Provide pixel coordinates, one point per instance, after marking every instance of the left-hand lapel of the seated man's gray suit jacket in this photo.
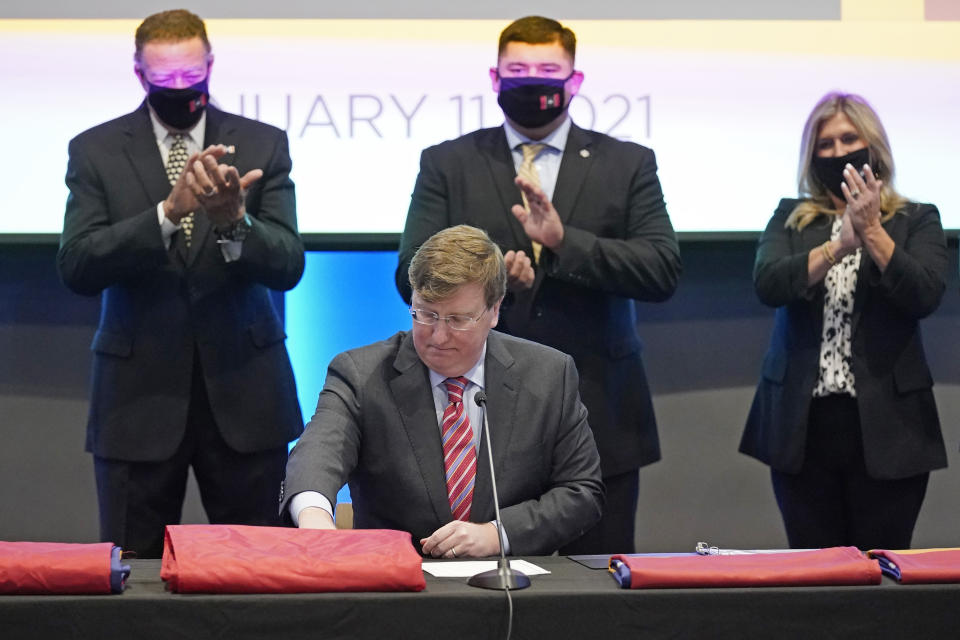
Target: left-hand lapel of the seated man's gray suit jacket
(413, 397)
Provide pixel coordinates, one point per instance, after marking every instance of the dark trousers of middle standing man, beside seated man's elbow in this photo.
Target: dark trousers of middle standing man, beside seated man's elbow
(615, 532)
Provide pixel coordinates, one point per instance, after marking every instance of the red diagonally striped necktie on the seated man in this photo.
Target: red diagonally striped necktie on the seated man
(459, 456)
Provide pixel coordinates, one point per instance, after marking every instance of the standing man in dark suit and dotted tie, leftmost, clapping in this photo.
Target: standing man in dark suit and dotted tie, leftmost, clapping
(184, 218)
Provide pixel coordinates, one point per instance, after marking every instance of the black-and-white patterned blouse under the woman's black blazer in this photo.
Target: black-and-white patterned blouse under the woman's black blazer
(836, 375)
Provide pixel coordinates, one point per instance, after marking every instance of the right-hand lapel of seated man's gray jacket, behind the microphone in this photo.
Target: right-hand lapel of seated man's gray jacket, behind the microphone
(501, 386)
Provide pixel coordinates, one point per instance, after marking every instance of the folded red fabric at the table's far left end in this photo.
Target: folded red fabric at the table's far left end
(54, 567)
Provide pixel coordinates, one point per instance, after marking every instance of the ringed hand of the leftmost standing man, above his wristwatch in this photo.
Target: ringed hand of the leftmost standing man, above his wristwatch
(219, 188)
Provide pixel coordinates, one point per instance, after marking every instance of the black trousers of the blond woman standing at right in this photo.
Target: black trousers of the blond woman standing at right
(833, 501)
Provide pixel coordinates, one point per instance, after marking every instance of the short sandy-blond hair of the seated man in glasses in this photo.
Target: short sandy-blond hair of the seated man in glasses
(454, 257)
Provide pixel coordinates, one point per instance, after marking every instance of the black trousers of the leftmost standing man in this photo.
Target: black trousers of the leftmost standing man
(138, 499)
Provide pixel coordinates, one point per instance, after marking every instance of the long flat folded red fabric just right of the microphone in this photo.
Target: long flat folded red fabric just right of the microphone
(834, 566)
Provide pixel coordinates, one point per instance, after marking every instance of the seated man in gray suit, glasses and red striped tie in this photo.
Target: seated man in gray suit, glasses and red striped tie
(397, 420)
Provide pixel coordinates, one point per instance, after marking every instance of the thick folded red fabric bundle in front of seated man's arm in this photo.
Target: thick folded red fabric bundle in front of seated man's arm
(243, 559)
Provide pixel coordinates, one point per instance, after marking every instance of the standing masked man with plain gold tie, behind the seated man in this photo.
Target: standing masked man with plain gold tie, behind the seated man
(585, 231)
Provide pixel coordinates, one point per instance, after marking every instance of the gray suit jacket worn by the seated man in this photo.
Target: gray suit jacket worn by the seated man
(376, 427)
